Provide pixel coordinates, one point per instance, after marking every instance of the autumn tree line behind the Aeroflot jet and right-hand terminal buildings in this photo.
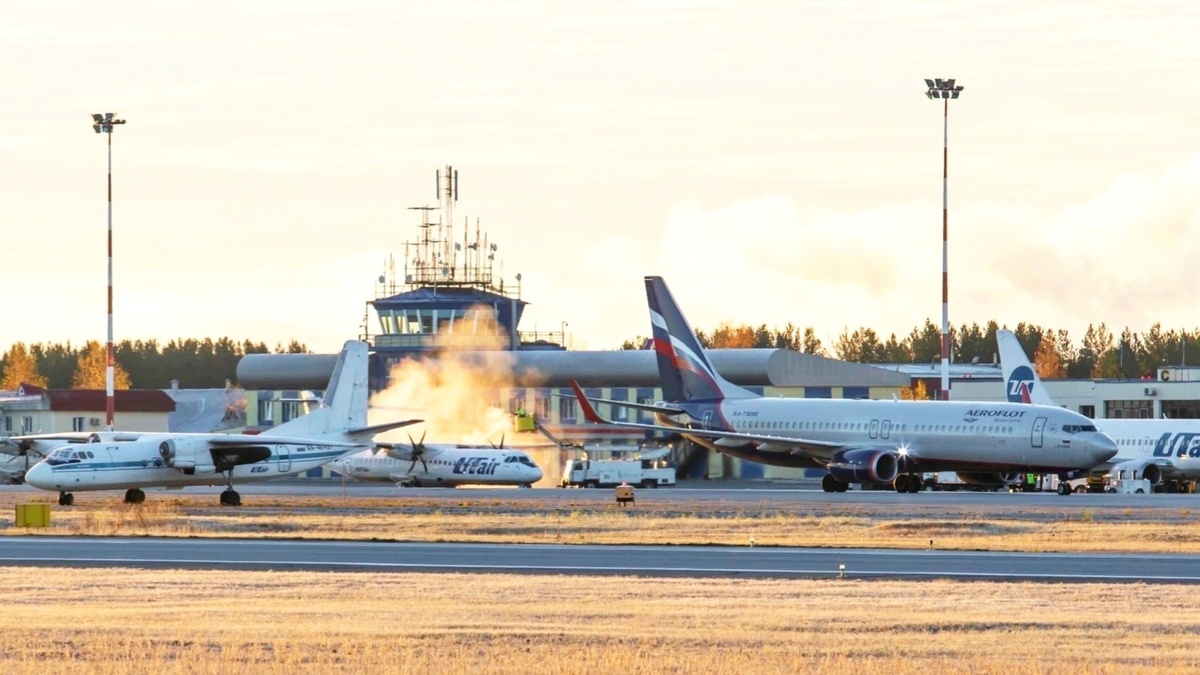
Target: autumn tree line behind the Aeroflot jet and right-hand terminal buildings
(1100, 355)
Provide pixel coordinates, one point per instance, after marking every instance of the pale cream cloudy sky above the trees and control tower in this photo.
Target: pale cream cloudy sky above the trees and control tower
(776, 163)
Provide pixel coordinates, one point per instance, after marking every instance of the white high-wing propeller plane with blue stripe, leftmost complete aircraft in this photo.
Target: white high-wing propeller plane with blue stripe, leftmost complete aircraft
(133, 462)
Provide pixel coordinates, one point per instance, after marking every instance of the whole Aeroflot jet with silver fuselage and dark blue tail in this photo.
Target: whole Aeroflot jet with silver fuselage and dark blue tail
(857, 441)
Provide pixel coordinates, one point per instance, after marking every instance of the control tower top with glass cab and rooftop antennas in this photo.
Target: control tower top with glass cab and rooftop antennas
(449, 292)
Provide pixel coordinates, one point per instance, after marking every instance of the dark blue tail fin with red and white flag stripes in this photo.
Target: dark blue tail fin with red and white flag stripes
(685, 372)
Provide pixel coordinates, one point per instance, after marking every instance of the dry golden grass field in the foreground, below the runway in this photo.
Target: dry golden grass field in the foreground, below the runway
(175, 622)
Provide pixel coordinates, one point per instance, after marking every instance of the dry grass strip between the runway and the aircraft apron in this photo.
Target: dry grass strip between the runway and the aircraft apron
(1022, 525)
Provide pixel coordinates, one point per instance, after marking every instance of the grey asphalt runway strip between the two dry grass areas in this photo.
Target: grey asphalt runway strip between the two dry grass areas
(643, 561)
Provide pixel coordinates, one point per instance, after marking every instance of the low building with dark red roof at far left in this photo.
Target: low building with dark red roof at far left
(34, 410)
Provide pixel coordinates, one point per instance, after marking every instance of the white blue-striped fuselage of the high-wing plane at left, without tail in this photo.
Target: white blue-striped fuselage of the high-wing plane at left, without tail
(140, 464)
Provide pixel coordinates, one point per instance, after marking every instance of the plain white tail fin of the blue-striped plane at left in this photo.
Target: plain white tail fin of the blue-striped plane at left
(344, 410)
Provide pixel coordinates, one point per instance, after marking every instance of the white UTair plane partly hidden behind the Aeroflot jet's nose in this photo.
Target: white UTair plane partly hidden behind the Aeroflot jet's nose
(1161, 451)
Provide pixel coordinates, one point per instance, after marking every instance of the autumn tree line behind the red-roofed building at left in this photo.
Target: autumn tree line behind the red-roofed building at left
(140, 365)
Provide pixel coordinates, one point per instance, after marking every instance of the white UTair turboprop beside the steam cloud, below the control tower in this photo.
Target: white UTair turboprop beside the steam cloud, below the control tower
(441, 465)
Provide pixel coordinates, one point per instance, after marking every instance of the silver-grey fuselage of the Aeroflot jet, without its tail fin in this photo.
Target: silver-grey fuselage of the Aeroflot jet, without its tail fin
(935, 434)
